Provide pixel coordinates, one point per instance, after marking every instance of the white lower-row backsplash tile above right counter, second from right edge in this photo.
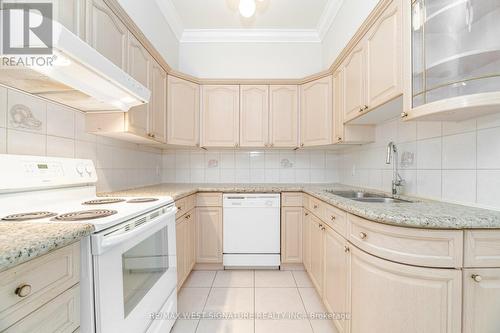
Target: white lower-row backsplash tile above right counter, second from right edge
(459, 186)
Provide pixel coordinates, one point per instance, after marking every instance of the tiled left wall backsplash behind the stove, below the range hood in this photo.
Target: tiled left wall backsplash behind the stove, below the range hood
(60, 132)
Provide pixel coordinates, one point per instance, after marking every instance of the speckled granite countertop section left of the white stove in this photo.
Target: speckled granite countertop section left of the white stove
(23, 241)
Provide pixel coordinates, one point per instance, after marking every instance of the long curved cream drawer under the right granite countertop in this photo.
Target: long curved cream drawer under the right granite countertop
(420, 247)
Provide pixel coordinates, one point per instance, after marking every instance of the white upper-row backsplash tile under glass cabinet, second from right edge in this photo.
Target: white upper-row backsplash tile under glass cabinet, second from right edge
(459, 151)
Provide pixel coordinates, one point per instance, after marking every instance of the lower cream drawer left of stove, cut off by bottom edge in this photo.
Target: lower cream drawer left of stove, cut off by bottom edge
(61, 315)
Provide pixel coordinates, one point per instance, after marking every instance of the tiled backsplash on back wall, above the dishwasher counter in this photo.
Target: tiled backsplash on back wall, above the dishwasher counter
(228, 166)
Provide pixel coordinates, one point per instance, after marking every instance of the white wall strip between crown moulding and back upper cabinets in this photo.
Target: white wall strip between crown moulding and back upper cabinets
(250, 60)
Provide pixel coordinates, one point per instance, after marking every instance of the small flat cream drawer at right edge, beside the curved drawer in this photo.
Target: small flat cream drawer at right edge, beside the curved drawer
(482, 248)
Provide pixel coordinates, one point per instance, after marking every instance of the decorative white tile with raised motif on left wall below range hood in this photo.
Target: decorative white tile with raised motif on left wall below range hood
(31, 114)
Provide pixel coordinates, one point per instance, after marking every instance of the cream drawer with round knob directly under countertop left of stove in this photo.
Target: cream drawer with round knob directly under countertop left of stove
(47, 277)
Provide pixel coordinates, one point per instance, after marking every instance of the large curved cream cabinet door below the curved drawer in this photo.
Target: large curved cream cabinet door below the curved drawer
(393, 298)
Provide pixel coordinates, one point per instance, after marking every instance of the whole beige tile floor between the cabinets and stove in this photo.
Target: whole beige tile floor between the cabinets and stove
(250, 292)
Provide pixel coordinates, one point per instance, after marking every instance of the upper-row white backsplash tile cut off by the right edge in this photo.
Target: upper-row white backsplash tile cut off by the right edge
(488, 148)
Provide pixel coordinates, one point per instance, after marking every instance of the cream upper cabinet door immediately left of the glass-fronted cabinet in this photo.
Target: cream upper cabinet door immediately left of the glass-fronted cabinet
(384, 57)
